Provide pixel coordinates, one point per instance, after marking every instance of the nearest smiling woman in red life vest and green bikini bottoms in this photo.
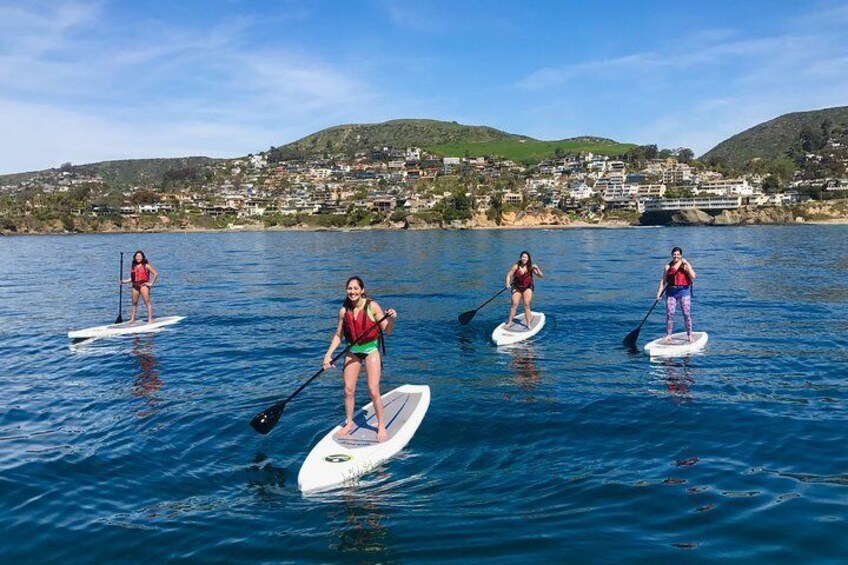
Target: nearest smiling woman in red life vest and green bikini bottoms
(357, 324)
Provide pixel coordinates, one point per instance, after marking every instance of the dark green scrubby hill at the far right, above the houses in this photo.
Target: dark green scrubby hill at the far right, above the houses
(775, 139)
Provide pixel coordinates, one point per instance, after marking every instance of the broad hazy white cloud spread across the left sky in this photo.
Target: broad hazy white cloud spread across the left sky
(83, 93)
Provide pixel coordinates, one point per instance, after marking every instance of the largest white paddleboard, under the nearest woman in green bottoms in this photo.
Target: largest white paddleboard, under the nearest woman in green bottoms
(336, 461)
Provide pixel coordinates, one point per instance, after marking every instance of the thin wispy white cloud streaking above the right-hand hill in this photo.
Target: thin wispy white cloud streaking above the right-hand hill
(716, 84)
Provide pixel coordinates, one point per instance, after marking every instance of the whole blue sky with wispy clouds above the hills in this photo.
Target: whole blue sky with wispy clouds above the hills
(88, 81)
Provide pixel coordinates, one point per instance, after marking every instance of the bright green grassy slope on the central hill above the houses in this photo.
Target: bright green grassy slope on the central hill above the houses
(528, 149)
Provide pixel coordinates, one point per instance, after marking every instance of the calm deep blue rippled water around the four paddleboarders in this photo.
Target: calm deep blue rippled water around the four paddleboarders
(565, 448)
